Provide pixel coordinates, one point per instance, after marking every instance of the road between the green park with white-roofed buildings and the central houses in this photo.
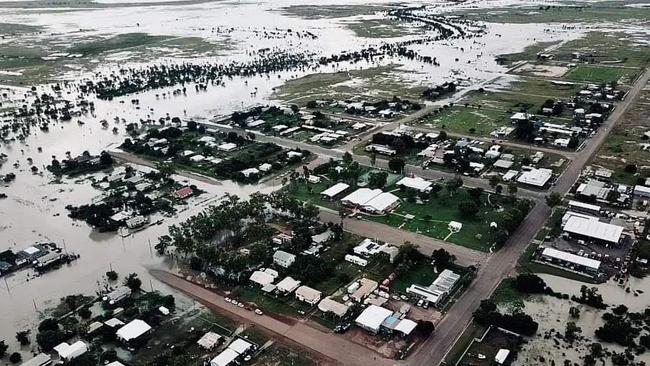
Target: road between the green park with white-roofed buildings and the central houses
(389, 234)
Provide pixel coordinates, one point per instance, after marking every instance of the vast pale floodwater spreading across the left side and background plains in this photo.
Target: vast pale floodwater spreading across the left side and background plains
(35, 209)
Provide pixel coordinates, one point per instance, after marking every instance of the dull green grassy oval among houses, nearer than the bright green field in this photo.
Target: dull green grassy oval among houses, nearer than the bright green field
(469, 121)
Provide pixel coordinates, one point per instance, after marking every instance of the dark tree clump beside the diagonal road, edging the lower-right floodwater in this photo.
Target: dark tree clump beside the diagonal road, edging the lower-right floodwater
(518, 322)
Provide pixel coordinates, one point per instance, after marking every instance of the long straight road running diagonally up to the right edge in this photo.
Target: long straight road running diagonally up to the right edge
(502, 263)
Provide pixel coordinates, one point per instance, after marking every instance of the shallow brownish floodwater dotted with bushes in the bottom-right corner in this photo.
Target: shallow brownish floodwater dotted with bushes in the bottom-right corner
(553, 314)
